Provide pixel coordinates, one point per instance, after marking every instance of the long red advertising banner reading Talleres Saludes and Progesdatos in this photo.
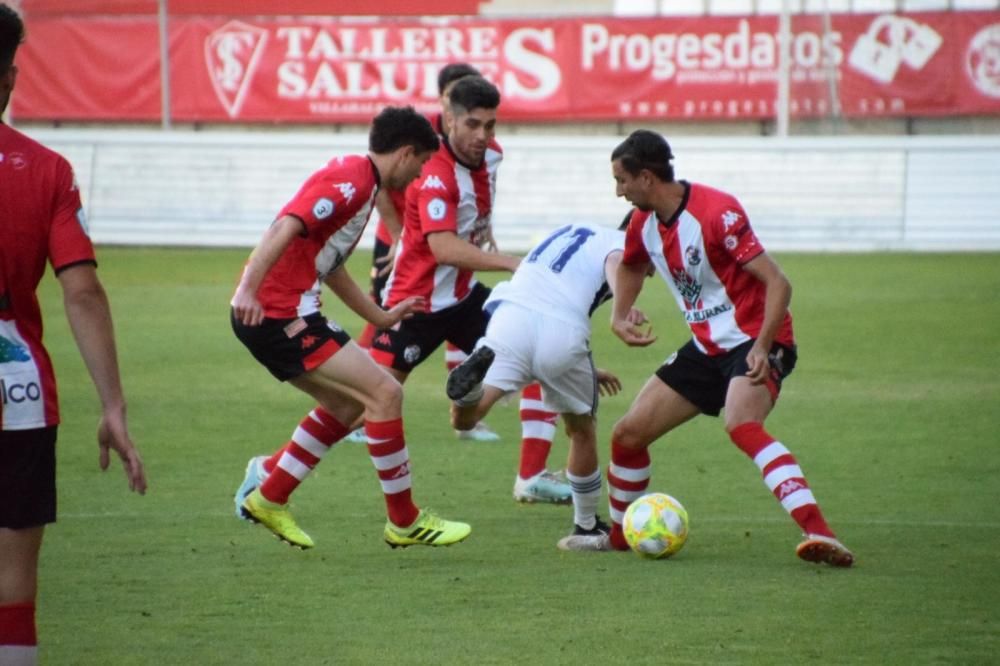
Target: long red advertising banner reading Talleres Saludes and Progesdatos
(315, 69)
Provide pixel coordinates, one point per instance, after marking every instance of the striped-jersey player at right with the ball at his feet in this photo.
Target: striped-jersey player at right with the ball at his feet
(735, 299)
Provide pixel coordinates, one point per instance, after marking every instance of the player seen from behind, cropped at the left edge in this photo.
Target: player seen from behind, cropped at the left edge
(42, 221)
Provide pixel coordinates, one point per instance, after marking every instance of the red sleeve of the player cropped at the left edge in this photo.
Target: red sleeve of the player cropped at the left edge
(68, 240)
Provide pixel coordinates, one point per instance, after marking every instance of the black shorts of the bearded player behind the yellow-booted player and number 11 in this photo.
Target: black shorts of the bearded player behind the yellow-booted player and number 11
(407, 344)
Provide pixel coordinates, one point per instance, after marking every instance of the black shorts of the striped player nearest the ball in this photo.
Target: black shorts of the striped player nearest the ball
(704, 379)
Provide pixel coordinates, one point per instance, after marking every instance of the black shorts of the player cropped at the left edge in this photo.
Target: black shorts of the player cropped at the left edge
(27, 477)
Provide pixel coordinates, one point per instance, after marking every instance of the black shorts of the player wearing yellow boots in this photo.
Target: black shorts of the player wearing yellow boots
(291, 347)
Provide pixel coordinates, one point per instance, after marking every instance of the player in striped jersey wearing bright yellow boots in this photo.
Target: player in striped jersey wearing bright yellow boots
(276, 314)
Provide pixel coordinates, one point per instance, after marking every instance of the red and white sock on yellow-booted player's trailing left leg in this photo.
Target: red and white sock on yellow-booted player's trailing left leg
(289, 467)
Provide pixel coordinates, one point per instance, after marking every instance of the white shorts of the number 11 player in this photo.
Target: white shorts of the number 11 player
(531, 346)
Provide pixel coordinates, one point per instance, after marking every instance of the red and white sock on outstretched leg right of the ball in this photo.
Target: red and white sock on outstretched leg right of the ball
(782, 475)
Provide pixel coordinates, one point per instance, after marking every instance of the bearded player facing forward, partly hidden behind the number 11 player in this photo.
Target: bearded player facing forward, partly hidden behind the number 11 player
(447, 236)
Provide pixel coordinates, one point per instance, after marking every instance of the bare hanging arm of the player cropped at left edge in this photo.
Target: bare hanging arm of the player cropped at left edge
(89, 316)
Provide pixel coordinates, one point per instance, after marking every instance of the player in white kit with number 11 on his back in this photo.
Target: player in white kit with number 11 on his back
(540, 331)
